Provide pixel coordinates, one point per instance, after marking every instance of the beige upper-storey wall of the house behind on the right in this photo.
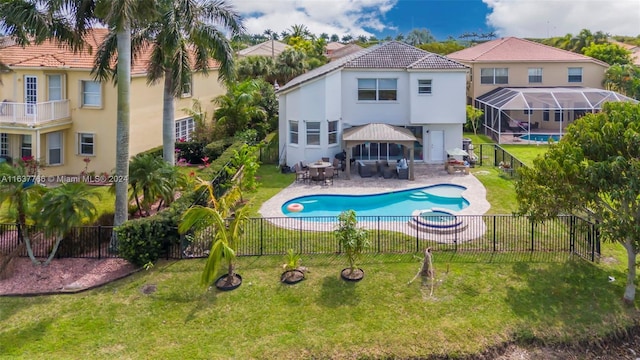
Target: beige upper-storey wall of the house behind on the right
(553, 74)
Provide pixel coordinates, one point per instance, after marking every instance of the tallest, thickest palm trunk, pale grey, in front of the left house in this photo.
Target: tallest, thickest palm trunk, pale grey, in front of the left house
(122, 130)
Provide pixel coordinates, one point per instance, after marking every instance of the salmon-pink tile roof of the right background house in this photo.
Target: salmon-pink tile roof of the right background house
(512, 49)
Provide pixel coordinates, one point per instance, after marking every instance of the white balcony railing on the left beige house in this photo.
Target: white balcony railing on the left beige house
(33, 114)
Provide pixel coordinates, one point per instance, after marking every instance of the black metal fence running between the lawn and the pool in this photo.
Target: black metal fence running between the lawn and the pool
(388, 235)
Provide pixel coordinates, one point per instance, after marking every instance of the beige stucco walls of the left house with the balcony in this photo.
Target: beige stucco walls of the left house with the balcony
(145, 118)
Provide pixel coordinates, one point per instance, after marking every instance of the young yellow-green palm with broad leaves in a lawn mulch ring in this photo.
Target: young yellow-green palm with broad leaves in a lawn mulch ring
(227, 230)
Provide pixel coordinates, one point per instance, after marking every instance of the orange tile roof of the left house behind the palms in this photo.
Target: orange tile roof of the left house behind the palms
(55, 55)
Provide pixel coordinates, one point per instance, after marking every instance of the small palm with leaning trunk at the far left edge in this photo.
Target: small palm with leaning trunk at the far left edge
(18, 194)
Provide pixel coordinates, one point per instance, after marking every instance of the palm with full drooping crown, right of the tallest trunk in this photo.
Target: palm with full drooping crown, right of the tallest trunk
(184, 38)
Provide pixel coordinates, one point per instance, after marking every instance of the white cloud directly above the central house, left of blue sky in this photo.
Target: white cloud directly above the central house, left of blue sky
(355, 17)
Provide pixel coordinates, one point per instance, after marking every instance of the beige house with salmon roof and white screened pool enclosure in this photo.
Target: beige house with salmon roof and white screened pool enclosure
(526, 87)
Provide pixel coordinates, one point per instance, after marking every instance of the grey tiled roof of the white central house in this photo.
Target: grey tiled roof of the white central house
(388, 55)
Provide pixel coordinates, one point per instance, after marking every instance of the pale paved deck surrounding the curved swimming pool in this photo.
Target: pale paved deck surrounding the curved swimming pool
(425, 175)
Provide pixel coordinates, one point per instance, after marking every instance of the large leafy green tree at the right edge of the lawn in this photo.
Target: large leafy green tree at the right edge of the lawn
(593, 171)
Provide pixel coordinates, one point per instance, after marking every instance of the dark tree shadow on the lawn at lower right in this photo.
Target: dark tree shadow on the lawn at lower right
(562, 299)
